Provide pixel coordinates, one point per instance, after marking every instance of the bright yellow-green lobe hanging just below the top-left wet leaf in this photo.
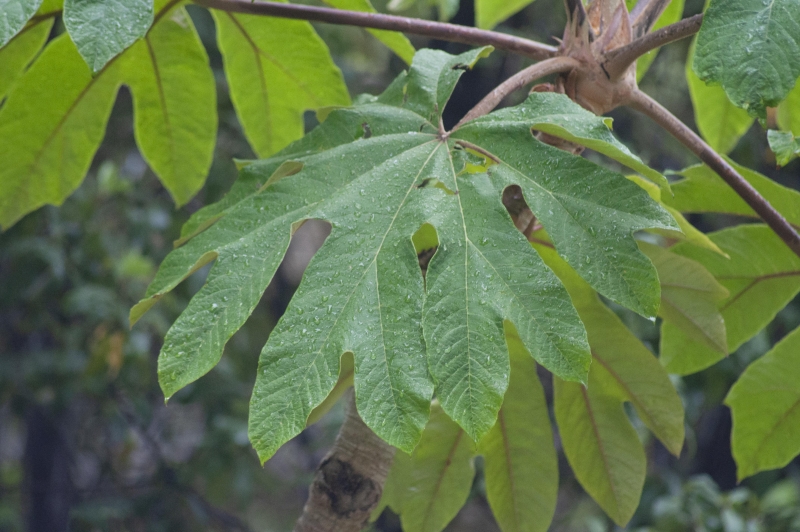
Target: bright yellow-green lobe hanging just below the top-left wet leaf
(174, 102)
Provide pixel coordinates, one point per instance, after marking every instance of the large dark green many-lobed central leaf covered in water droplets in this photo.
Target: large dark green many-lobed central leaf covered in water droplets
(378, 172)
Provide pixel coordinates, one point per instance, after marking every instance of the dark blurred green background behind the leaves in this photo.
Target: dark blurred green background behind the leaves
(87, 443)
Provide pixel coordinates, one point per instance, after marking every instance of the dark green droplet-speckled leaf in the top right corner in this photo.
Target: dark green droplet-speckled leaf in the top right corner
(752, 48)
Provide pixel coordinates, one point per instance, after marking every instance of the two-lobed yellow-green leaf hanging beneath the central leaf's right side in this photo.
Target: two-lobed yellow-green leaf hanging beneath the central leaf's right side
(601, 445)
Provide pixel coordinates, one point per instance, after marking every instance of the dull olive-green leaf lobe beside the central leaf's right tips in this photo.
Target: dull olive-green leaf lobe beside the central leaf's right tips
(689, 297)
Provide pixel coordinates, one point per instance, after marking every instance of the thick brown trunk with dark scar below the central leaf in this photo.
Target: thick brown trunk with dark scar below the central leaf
(349, 480)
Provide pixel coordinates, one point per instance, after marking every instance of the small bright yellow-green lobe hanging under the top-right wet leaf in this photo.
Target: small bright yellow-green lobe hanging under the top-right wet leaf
(720, 122)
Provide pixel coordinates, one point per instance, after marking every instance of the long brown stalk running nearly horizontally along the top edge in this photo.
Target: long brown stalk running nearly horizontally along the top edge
(427, 28)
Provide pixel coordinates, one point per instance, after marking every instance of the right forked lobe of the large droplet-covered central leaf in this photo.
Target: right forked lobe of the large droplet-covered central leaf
(589, 212)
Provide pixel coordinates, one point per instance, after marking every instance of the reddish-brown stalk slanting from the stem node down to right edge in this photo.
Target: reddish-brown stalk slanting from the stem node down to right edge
(646, 105)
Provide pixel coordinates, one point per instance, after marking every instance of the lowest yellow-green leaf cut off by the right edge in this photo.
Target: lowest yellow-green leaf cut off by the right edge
(765, 403)
